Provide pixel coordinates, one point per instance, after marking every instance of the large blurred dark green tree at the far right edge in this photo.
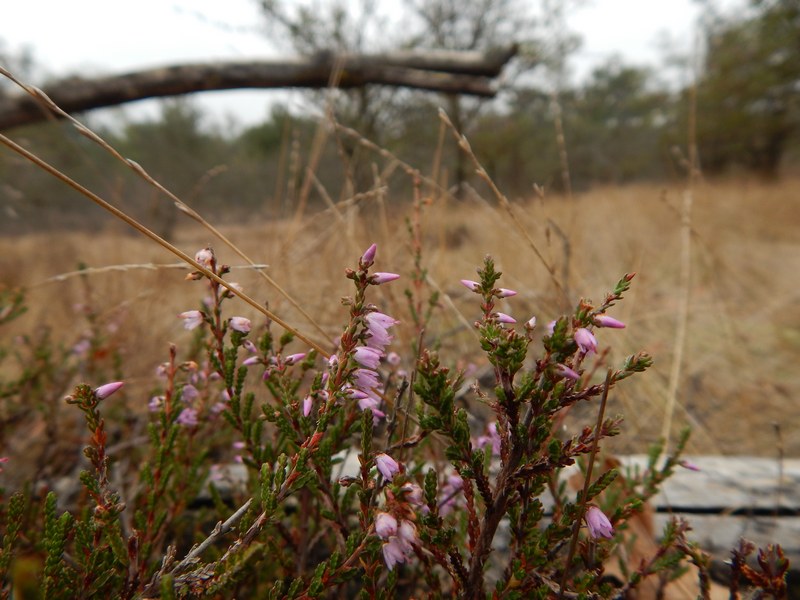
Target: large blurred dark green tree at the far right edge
(748, 93)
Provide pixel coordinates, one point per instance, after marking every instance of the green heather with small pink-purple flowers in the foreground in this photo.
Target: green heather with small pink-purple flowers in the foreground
(274, 466)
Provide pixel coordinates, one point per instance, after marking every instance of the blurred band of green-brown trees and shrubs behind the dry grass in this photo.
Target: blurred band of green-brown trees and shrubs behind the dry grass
(620, 125)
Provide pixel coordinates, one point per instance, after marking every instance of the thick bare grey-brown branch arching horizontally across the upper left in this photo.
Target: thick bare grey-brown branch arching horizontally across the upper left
(439, 71)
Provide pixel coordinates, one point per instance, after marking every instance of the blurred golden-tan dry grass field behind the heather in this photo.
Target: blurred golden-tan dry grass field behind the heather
(738, 374)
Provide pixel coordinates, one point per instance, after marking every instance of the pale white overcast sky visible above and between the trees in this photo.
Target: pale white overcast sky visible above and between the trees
(108, 36)
